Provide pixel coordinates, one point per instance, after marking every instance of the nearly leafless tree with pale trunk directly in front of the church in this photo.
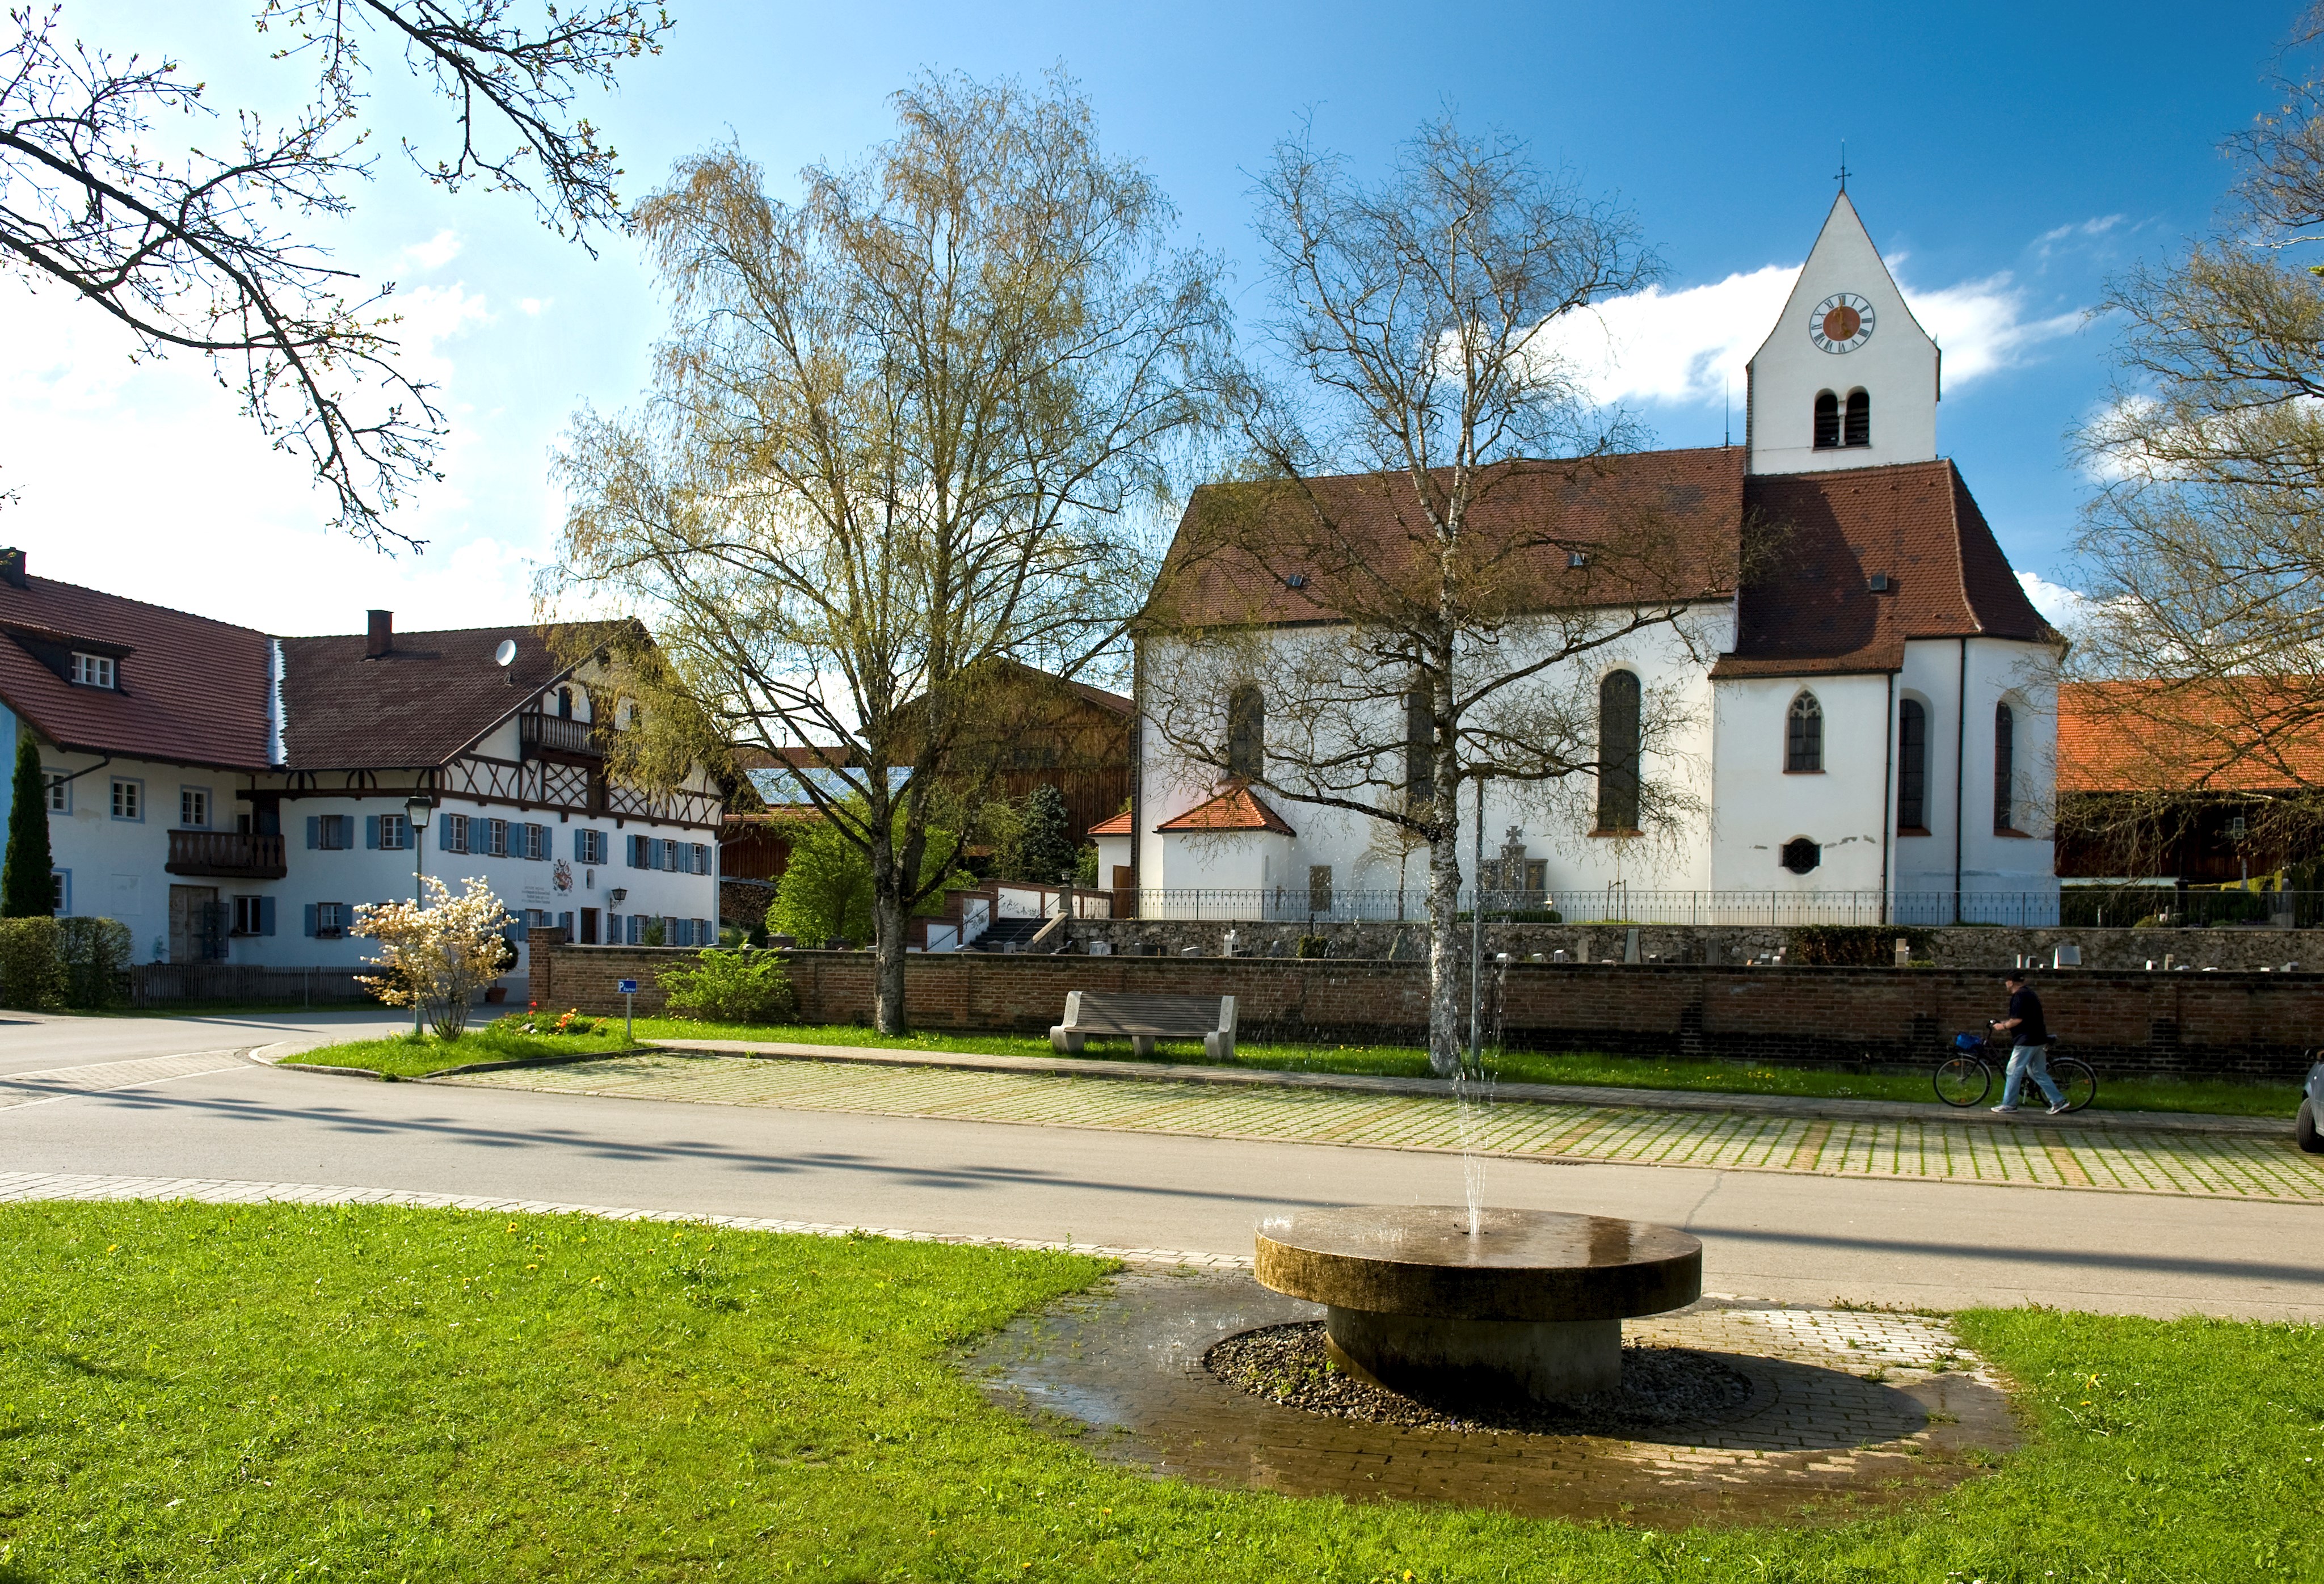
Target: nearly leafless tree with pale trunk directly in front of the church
(1389, 582)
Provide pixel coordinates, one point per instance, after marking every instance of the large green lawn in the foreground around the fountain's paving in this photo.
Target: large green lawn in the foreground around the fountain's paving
(299, 1395)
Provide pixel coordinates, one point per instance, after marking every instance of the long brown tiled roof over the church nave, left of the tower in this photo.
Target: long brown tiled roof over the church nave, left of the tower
(1240, 545)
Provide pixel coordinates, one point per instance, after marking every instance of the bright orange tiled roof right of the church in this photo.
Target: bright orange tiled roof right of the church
(2188, 737)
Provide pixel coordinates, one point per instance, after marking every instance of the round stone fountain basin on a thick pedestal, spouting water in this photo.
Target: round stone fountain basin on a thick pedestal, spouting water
(1530, 1304)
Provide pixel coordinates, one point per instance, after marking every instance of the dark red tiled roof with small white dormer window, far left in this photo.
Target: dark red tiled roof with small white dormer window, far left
(189, 689)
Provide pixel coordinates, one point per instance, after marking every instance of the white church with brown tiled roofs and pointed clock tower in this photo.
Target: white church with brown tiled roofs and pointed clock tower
(1856, 726)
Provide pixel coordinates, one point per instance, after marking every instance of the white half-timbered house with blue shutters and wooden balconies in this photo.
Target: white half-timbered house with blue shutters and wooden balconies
(234, 795)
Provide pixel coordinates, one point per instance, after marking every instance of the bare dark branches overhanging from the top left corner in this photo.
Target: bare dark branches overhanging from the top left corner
(203, 252)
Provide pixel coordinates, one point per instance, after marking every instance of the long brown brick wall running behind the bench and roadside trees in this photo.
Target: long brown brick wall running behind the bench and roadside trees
(2248, 1025)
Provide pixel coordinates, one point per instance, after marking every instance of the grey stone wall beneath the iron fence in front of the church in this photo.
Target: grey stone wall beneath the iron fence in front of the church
(1730, 944)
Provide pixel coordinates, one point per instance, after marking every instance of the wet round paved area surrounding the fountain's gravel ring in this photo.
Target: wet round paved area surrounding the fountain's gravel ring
(1849, 1413)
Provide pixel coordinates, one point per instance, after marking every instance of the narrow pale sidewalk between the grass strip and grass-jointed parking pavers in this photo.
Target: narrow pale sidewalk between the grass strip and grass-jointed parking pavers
(1547, 1095)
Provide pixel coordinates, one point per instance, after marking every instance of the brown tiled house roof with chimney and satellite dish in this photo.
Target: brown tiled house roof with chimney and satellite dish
(419, 705)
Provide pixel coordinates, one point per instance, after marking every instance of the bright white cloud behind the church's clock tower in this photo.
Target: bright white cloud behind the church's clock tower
(1688, 347)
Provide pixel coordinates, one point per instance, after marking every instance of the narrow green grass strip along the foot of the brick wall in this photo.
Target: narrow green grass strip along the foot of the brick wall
(2214, 1097)
